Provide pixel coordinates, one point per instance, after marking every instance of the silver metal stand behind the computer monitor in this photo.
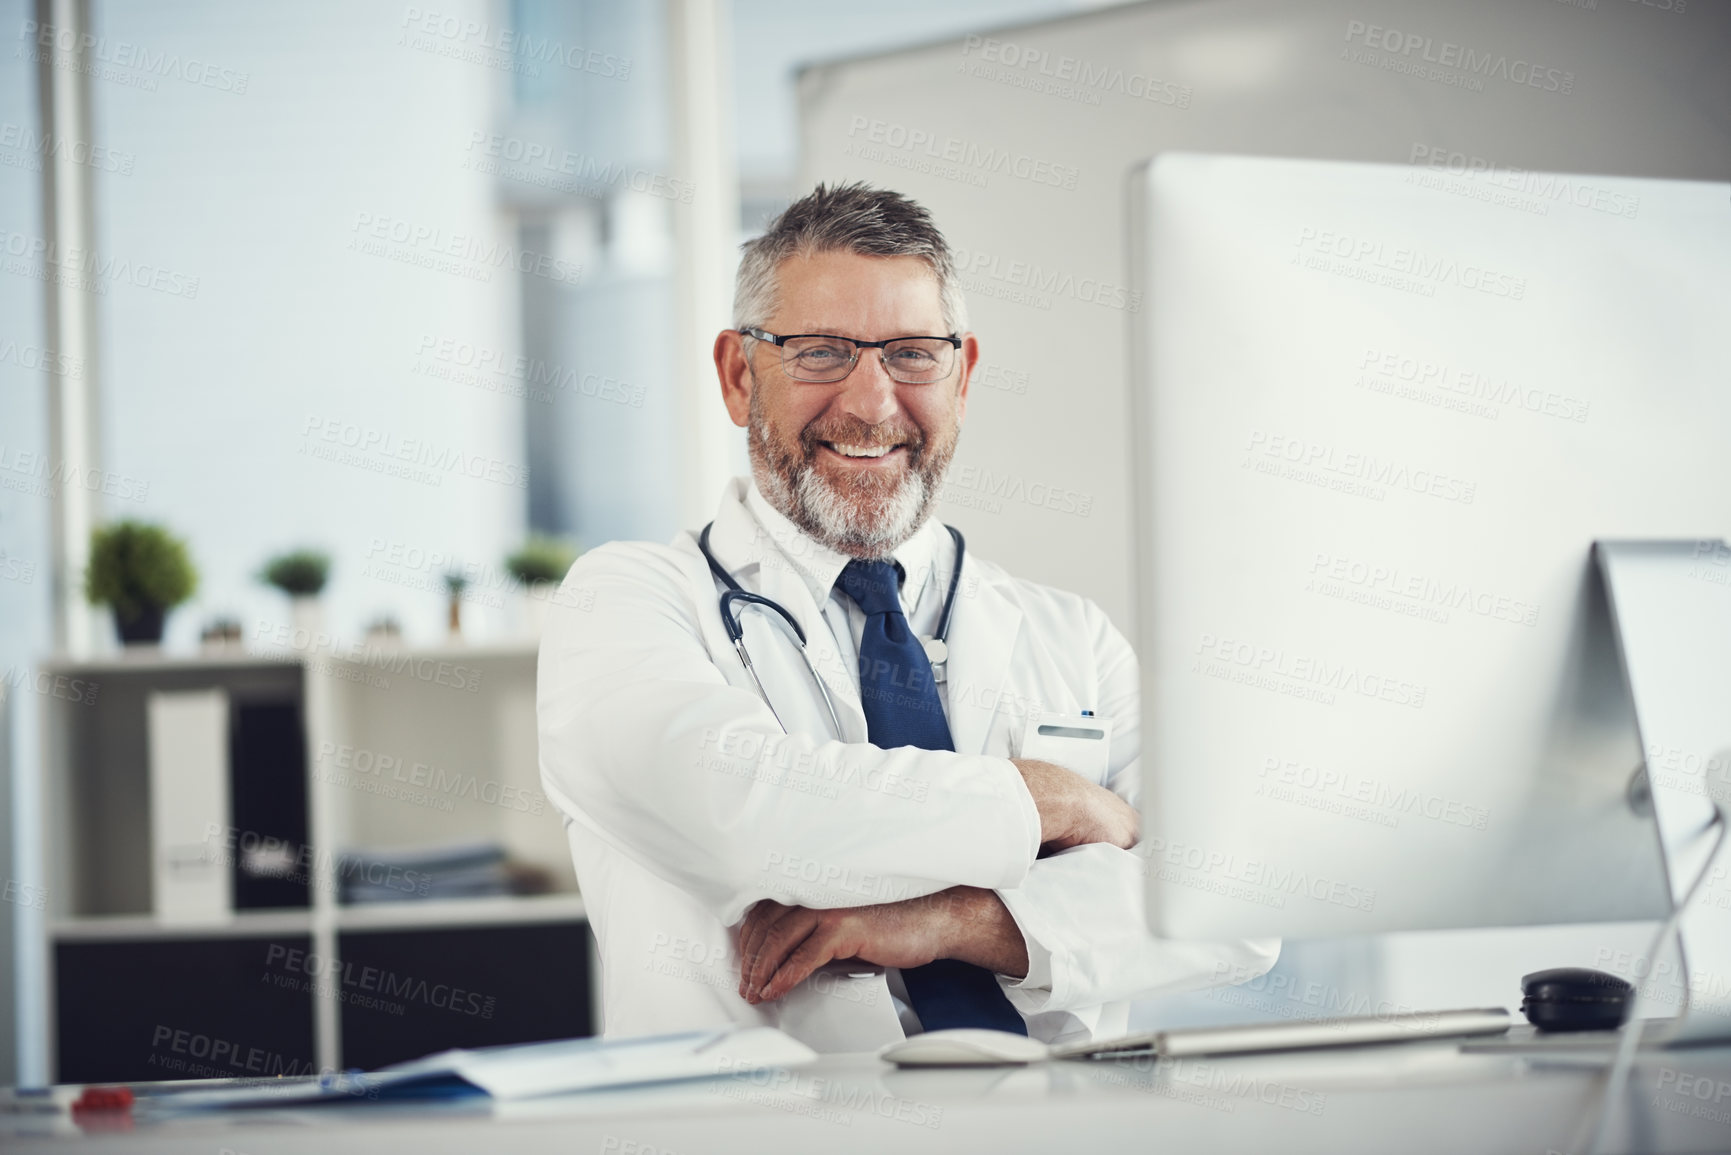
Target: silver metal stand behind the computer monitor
(1671, 616)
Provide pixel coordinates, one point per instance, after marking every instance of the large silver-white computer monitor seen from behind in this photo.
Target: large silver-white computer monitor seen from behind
(1382, 415)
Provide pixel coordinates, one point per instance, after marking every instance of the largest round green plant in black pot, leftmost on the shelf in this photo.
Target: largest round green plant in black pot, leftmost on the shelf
(141, 572)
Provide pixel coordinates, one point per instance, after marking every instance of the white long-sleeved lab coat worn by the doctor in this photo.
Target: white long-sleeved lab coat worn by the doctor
(685, 803)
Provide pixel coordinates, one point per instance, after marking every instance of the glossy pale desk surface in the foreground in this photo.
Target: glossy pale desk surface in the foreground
(1417, 1097)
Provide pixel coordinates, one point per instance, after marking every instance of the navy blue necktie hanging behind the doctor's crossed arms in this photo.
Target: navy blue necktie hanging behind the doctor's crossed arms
(903, 709)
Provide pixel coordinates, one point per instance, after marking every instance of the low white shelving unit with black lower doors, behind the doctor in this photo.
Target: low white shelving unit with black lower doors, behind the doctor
(408, 747)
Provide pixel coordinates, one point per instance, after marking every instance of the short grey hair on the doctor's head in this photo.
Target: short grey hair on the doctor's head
(846, 219)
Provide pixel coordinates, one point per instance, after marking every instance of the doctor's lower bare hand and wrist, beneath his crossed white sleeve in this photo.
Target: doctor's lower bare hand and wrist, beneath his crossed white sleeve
(782, 946)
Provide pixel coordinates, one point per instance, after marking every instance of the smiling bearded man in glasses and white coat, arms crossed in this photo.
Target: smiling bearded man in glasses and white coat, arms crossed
(823, 827)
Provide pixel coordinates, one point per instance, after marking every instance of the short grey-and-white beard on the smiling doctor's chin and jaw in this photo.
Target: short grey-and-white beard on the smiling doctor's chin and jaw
(861, 529)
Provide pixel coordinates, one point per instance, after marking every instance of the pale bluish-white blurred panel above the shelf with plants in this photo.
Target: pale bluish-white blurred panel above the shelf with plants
(262, 197)
